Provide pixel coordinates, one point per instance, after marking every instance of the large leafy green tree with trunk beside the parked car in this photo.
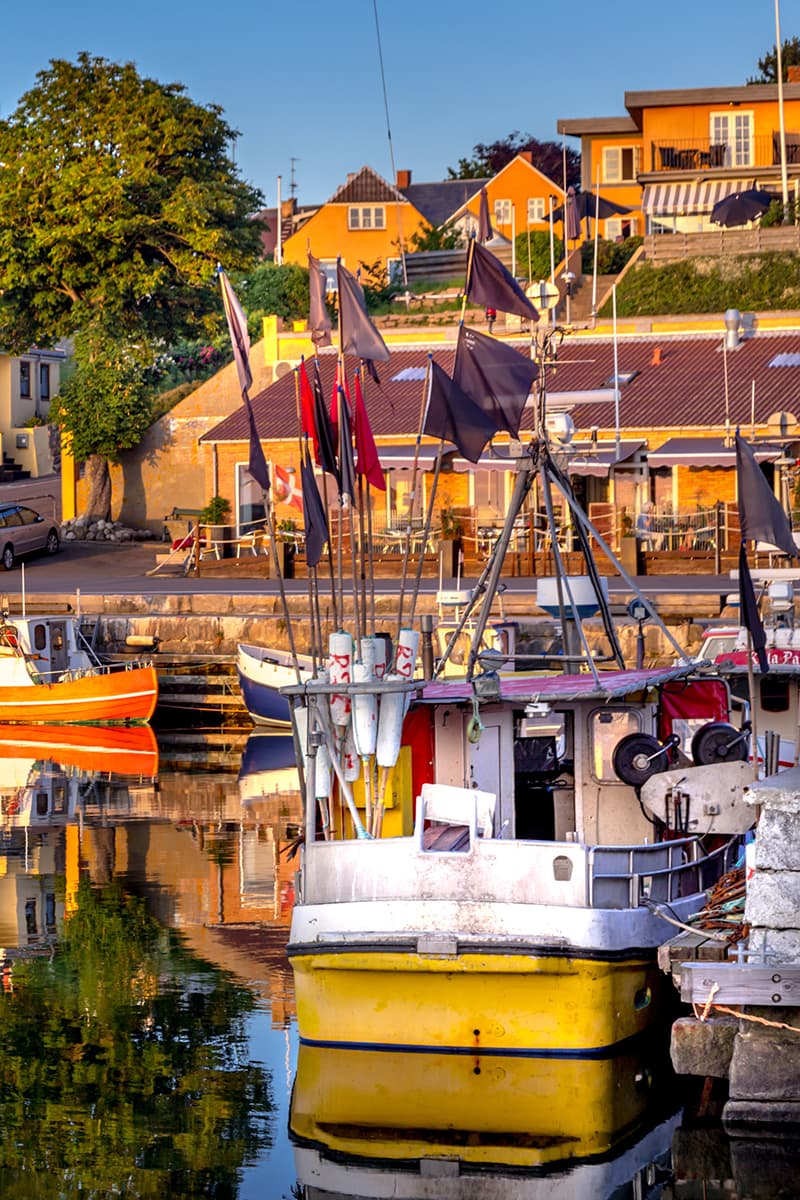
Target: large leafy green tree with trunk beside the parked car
(118, 197)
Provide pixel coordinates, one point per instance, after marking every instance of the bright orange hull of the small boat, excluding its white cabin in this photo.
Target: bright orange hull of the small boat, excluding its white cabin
(106, 698)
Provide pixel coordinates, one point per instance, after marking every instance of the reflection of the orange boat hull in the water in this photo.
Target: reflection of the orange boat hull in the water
(117, 749)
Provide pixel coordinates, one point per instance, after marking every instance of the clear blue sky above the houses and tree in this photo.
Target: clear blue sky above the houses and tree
(304, 81)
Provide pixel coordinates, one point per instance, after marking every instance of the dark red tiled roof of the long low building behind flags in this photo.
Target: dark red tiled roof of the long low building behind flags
(684, 391)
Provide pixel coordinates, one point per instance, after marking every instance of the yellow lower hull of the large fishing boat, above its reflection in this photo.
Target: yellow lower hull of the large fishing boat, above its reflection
(527, 1003)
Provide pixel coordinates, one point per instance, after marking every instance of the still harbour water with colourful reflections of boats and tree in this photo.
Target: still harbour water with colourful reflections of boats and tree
(148, 1039)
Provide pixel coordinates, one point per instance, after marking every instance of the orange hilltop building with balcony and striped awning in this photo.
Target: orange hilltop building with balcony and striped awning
(677, 153)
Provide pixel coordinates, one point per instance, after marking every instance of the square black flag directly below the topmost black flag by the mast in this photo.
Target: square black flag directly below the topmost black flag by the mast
(496, 376)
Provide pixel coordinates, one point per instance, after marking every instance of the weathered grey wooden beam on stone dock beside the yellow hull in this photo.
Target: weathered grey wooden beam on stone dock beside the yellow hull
(741, 983)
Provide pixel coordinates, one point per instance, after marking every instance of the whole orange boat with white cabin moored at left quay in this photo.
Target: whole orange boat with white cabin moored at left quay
(50, 674)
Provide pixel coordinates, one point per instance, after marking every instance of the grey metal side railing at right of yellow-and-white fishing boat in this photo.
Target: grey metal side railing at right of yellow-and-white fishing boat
(663, 873)
